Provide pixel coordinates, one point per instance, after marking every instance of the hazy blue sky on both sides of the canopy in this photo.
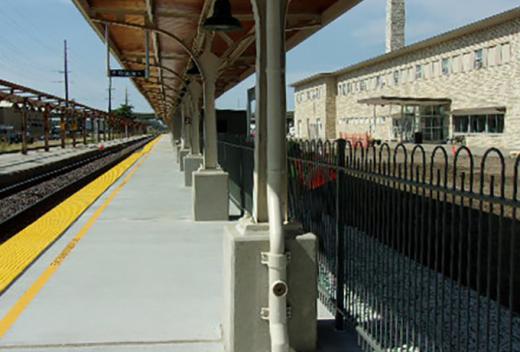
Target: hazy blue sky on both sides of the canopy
(32, 34)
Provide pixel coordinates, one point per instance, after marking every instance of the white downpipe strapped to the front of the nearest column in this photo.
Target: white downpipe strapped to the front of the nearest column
(276, 162)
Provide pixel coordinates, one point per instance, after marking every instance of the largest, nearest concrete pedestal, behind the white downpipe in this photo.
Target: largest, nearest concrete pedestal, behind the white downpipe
(245, 289)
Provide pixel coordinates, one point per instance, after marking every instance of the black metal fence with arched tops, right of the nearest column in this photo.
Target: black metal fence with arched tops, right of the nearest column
(418, 250)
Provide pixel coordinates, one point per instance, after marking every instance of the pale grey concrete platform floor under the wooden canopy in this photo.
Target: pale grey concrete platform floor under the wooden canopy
(144, 278)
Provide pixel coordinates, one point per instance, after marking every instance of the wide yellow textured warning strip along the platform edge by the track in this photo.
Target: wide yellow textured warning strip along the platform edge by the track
(25, 247)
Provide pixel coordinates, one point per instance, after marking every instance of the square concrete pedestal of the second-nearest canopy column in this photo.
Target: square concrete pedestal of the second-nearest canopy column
(210, 195)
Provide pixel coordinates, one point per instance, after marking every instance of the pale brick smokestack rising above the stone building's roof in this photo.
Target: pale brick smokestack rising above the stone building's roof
(395, 24)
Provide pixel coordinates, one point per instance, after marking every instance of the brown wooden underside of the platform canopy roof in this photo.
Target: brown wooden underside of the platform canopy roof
(183, 18)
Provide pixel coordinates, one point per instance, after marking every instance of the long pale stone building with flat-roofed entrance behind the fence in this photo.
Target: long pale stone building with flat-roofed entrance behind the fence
(461, 86)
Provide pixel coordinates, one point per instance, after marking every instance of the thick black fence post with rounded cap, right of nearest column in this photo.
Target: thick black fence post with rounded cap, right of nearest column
(340, 234)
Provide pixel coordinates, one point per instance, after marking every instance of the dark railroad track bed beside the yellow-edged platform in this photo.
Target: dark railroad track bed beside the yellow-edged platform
(25, 201)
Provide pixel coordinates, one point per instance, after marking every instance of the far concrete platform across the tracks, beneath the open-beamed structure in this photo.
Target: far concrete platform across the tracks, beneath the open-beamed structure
(16, 162)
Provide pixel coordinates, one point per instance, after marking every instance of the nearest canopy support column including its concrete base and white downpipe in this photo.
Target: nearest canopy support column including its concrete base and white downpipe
(251, 283)
